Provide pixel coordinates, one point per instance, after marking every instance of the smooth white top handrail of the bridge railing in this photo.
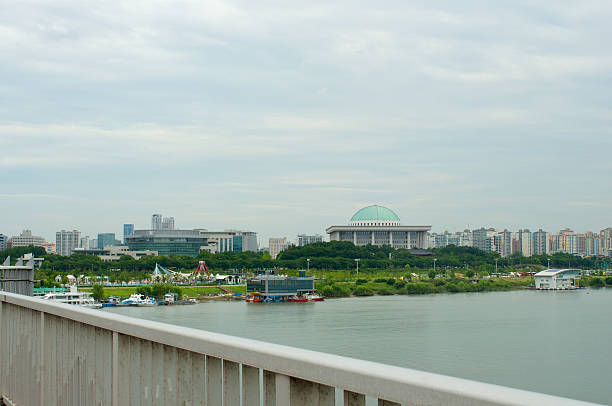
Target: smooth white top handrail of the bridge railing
(372, 379)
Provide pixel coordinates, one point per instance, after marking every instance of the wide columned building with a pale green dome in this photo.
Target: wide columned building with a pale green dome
(378, 225)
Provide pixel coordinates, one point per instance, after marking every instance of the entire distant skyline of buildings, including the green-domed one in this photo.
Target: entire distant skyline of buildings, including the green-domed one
(375, 225)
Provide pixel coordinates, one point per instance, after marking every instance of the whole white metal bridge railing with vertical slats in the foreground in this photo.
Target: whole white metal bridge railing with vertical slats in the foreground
(57, 354)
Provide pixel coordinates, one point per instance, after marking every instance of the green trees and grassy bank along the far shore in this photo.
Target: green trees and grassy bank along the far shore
(383, 270)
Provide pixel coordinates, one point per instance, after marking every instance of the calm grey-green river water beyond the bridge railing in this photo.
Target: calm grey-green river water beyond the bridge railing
(549, 342)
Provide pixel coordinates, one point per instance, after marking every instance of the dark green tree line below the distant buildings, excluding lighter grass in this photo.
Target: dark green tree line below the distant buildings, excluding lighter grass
(334, 255)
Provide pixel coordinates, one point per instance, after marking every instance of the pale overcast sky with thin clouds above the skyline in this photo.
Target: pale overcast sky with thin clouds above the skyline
(286, 117)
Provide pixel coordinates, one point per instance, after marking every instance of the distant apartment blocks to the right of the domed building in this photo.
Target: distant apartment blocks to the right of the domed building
(527, 242)
